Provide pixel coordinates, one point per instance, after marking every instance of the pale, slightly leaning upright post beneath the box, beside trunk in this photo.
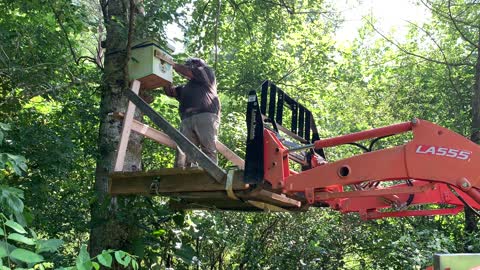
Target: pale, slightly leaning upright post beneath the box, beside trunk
(126, 128)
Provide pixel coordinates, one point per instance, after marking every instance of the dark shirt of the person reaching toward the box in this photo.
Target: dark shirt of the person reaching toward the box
(199, 95)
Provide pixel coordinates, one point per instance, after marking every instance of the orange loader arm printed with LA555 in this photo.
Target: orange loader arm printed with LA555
(437, 167)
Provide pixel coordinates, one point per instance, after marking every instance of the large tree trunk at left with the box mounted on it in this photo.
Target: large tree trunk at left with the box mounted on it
(107, 231)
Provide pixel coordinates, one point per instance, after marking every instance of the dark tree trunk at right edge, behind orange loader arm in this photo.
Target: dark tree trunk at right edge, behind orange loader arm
(470, 218)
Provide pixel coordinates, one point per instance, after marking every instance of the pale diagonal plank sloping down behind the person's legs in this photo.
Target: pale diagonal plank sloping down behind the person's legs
(163, 138)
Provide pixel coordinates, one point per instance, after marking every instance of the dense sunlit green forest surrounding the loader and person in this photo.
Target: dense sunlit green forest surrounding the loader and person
(57, 140)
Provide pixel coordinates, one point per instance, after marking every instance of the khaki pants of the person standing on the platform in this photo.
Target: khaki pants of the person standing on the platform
(202, 130)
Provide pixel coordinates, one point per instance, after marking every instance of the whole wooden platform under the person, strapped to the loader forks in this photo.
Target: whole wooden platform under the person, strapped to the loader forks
(194, 188)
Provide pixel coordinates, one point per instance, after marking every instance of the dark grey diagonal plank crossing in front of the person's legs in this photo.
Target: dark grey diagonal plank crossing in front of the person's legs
(188, 147)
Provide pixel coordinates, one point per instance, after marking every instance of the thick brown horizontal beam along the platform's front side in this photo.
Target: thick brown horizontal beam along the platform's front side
(166, 181)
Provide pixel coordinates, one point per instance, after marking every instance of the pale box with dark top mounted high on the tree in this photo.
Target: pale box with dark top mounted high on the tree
(149, 64)
